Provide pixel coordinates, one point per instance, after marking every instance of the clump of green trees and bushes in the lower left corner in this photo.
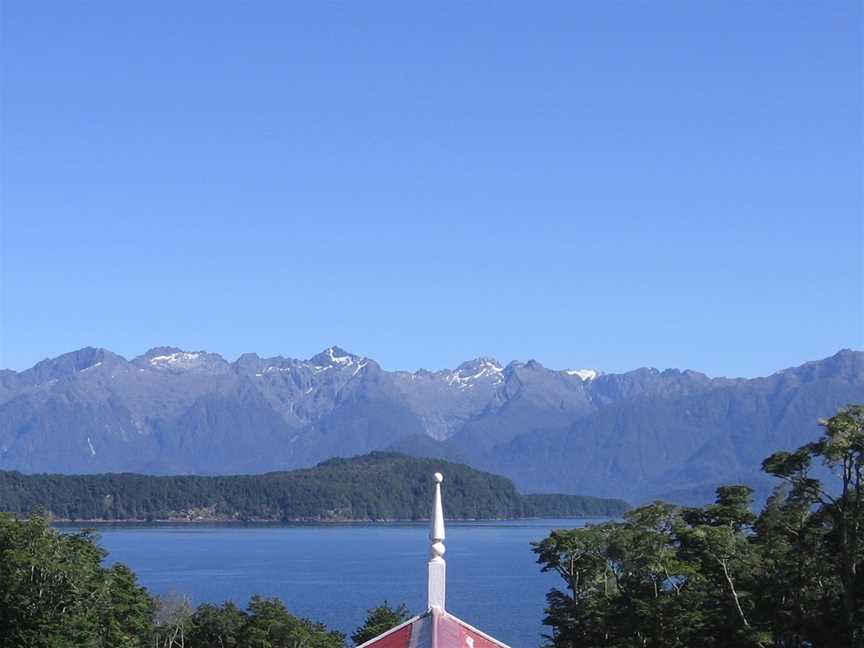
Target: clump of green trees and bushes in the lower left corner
(55, 593)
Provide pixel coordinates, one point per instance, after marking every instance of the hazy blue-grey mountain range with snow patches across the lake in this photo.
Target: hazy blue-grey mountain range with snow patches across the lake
(635, 435)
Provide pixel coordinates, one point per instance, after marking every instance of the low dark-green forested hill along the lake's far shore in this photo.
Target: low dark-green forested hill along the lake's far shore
(377, 486)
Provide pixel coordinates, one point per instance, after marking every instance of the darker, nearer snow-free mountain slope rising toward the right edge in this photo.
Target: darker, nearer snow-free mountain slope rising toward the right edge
(648, 447)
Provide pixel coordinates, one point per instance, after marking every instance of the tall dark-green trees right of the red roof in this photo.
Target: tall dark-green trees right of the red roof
(719, 576)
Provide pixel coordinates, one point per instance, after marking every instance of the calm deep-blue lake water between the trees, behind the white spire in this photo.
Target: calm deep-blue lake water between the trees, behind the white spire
(334, 573)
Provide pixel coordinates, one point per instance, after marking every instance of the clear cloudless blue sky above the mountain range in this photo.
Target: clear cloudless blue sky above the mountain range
(590, 184)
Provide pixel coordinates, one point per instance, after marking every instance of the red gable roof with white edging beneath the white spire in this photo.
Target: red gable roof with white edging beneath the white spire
(435, 629)
